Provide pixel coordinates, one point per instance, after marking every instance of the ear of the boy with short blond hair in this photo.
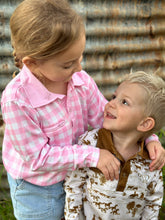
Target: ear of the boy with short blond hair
(146, 125)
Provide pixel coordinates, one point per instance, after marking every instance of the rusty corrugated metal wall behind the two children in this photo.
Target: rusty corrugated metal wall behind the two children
(121, 35)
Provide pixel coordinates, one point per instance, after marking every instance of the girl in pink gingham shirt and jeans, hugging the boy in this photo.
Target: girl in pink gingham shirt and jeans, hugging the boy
(47, 106)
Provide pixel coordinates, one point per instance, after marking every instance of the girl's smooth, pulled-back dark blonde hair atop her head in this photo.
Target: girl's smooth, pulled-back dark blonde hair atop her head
(42, 28)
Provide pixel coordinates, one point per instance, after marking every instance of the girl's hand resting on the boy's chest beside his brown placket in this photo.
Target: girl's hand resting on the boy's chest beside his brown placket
(109, 165)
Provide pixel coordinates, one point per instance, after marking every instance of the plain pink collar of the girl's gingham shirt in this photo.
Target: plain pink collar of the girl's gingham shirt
(37, 93)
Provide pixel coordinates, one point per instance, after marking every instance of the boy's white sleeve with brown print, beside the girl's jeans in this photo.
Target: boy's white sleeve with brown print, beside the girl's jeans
(73, 187)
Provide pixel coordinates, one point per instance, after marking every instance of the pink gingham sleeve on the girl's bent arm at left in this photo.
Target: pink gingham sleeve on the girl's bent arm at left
(32, 145)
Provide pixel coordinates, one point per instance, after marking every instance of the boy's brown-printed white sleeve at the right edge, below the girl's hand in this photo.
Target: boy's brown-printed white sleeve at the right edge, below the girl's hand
(154, 197)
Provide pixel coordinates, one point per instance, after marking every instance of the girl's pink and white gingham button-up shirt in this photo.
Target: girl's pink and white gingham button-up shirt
(42, 128)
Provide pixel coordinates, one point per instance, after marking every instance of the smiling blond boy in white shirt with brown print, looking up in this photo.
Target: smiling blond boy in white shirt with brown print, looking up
(135, 112)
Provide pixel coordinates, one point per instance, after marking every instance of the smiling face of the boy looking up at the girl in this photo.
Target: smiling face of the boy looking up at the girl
(126, 109)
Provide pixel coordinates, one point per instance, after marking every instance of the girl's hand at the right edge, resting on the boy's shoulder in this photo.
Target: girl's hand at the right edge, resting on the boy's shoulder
(157, 155)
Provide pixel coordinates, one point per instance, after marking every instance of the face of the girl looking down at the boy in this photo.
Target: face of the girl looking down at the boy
(61, 67)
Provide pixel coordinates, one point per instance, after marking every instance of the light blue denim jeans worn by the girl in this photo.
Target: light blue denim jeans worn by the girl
(32, 202)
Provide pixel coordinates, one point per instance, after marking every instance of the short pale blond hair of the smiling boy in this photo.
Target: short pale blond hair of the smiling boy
(154, 97)
